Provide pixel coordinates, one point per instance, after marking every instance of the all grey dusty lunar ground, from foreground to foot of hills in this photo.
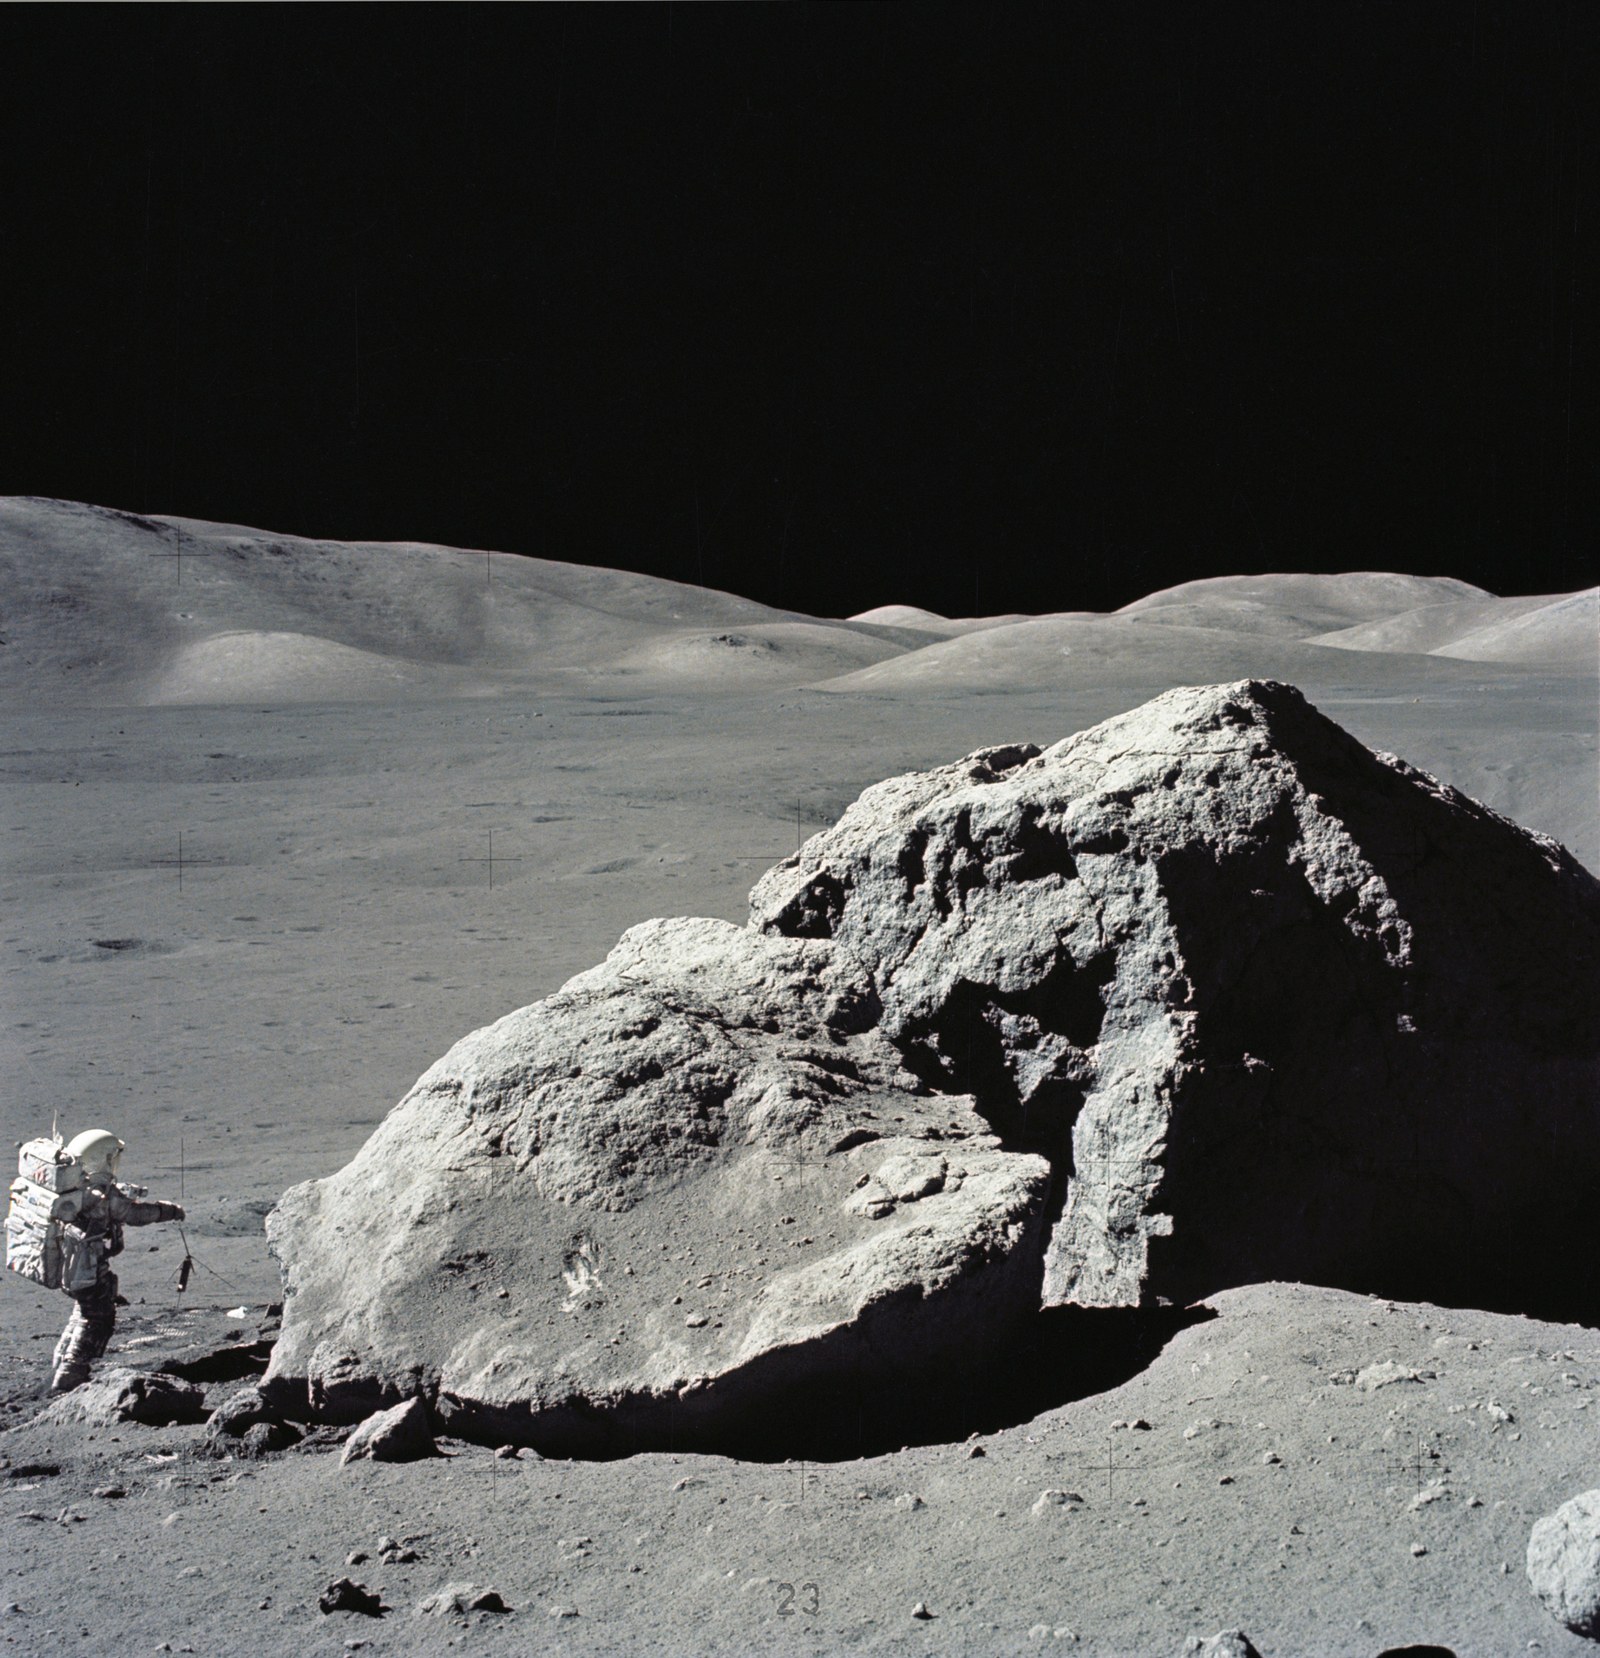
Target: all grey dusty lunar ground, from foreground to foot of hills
(336, 931)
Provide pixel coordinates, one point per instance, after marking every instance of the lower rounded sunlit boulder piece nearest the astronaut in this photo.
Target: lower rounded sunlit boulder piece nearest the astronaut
(691, 1188)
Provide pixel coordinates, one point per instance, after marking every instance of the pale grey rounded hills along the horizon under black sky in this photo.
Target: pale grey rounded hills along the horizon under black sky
(120, 609)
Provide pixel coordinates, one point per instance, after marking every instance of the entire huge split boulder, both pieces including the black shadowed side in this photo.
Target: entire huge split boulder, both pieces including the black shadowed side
(1205, 996)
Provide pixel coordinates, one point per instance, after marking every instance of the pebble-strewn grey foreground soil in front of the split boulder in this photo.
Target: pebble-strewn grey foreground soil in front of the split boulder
(1268, 1491)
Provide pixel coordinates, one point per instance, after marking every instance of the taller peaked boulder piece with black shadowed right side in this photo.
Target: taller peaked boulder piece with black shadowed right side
(1273, 1006)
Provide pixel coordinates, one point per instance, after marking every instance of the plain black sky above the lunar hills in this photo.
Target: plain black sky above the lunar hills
(977, 308)
